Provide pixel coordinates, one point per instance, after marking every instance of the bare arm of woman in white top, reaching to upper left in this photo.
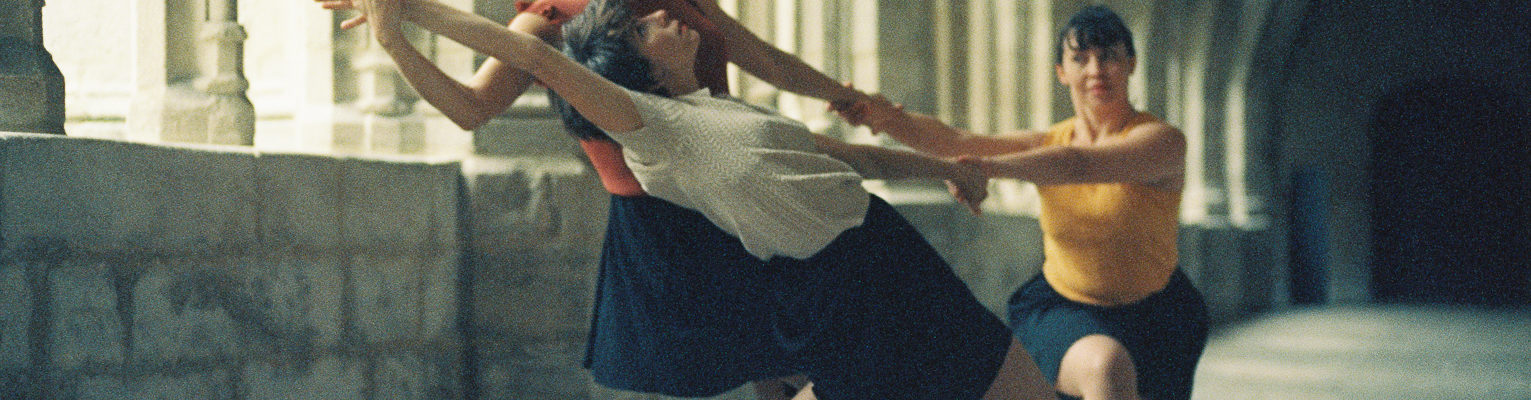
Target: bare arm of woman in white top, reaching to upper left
(599, 100)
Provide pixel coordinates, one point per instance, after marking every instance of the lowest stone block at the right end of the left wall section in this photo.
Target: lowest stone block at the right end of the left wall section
(414, 378)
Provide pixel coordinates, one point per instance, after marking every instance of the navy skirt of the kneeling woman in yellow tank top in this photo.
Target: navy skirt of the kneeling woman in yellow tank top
(1164, 333)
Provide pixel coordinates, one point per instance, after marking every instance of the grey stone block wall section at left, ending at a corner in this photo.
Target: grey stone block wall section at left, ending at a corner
(149, 272)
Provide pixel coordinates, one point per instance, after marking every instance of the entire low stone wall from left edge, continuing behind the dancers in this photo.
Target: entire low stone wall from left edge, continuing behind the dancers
(157, 272)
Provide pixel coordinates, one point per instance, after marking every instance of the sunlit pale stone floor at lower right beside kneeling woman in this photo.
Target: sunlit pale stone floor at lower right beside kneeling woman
(1371, 352)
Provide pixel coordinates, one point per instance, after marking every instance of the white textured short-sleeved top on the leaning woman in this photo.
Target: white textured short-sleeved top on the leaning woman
(752, 172)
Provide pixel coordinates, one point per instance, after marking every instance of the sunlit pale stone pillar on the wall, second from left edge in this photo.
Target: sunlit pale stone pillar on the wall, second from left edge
(197, 99)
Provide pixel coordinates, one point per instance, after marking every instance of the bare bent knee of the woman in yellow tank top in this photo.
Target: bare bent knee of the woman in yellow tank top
(1098, 369)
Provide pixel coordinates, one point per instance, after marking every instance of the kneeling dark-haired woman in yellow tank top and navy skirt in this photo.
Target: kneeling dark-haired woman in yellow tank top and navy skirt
(1111, 316)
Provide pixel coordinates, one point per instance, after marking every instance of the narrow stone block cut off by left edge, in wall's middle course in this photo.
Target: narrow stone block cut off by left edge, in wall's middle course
(16, 318)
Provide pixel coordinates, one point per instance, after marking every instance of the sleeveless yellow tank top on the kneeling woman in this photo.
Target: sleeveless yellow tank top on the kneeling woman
(1108, 244)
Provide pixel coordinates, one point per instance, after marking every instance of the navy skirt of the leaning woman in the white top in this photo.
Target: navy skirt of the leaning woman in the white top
(880, 315)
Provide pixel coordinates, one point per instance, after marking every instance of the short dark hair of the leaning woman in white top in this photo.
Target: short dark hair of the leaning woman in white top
(601, 39)
